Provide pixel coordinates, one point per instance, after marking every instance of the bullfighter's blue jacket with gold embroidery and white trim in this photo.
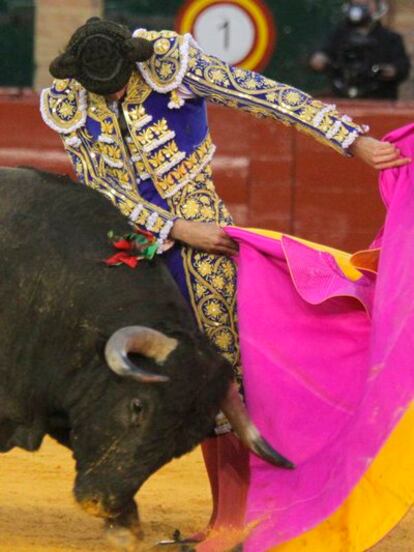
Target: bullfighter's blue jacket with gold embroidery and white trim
(169, 140)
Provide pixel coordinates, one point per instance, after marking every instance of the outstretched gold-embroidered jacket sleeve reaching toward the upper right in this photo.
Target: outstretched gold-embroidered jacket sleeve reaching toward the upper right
(224, 84)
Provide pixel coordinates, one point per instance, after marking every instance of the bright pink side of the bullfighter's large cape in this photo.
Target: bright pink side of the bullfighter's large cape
(328, 362)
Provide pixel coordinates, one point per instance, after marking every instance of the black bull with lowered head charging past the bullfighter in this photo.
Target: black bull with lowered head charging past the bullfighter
(59, 305)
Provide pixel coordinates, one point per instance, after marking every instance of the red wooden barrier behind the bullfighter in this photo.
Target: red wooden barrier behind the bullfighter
(270, 175)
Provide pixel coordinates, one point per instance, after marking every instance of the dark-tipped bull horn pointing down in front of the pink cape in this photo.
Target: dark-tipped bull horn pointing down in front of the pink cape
(236, 413)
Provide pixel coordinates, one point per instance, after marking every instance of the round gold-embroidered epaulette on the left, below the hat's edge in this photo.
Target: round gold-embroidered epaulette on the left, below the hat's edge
(64, 106)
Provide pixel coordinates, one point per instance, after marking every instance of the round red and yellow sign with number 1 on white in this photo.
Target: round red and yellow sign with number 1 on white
(240, 32)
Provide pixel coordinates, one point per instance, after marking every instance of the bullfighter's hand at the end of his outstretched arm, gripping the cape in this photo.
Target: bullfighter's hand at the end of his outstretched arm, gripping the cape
(377, 154)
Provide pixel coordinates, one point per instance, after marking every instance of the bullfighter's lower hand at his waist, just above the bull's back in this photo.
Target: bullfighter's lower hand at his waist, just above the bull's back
(207, 236)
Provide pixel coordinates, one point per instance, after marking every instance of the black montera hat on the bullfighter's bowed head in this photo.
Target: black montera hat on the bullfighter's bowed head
(101, 56)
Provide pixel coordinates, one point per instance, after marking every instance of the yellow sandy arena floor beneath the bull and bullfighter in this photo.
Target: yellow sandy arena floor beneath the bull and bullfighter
(38, 513)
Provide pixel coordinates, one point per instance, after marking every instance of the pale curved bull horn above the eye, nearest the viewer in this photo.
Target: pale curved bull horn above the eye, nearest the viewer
(142, 340)
